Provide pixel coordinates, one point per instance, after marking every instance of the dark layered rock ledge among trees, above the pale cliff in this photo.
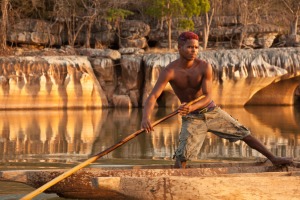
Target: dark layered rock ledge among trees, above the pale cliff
(225, 32)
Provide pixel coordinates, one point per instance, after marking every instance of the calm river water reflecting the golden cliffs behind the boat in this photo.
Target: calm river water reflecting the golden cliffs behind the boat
(43, 139)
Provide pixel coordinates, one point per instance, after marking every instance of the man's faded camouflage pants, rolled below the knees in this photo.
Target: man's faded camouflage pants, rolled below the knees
(195, 127)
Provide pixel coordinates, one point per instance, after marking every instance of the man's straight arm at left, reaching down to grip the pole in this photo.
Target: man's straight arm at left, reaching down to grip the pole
(161, 83)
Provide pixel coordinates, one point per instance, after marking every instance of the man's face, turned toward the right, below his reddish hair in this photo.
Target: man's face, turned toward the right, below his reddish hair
(189, 50)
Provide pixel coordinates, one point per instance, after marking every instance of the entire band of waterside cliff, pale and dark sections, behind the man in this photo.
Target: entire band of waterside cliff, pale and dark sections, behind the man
(110, 78)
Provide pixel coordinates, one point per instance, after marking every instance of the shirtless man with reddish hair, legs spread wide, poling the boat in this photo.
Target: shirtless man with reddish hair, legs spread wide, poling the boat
(190, 79)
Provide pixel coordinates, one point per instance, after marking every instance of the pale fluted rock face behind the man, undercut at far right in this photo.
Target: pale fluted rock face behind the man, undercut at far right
(239, 75)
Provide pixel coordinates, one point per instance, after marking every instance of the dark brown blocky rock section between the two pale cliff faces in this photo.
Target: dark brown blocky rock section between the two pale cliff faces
(121, 81)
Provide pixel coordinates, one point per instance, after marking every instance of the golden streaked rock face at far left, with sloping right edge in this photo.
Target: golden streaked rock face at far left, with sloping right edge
(49, 82)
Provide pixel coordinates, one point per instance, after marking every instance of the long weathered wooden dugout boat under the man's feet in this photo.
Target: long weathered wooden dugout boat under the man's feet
(257, 180)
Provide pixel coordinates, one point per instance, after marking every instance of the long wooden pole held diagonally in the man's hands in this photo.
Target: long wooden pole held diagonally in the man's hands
(97, 156)
